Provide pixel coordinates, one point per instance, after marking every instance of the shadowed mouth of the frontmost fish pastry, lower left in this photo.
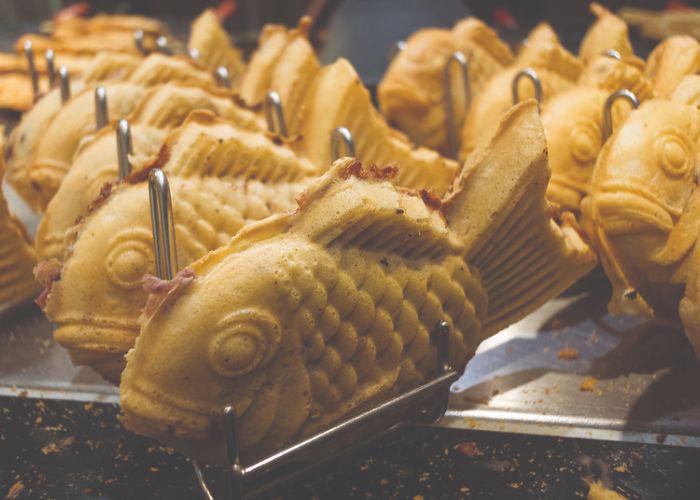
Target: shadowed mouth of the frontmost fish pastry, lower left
(161, 415)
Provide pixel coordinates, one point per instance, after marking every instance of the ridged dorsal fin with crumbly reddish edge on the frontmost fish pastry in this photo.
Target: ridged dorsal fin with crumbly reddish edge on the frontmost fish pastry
(353, 205)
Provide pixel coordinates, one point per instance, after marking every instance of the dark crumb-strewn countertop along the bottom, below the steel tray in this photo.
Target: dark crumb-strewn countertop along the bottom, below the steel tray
(59, 449)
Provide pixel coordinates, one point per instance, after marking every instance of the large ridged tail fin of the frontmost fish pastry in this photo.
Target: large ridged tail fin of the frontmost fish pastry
(497, 206)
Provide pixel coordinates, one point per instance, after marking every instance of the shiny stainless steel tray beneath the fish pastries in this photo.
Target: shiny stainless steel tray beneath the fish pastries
(647, 387)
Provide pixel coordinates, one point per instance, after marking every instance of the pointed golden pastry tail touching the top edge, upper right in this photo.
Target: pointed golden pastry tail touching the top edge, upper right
(608, 32)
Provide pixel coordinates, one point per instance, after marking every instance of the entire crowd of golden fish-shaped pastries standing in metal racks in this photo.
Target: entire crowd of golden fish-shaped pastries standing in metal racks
(311, 288)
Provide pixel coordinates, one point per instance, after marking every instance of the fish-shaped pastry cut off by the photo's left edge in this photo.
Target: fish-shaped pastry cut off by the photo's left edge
(16, 253)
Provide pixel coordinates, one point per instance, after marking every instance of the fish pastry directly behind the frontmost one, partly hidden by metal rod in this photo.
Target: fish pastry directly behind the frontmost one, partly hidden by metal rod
(97, 300)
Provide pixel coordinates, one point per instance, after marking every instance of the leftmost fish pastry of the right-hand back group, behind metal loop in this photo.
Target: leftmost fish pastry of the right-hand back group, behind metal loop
(412, 92)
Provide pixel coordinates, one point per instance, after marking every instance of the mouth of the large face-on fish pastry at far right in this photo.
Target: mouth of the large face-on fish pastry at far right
(625, 210)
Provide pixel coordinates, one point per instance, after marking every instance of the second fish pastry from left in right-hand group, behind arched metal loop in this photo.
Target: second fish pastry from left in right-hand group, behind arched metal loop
(557, 69)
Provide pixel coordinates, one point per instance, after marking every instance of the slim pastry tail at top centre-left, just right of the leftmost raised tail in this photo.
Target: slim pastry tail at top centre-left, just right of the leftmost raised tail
(272, 46)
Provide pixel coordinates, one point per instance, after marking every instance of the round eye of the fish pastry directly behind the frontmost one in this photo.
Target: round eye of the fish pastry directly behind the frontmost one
(129, 258)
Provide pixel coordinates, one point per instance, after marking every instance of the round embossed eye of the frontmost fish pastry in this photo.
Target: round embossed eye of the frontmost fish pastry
(244, 341)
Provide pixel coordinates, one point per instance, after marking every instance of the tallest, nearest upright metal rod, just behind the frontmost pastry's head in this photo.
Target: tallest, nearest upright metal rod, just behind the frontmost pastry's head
(163, 224)
